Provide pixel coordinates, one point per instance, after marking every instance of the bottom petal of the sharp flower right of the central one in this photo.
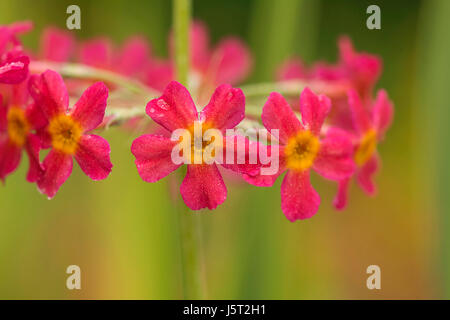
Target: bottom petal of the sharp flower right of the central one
(299, 200)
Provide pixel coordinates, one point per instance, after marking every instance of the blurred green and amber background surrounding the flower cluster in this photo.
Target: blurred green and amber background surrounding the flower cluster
(122, 232)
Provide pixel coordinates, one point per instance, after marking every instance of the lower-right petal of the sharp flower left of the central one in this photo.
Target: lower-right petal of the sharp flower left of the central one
(93, 156)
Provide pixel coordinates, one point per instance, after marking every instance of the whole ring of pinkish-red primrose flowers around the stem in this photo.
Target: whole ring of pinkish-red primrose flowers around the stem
(331, 126)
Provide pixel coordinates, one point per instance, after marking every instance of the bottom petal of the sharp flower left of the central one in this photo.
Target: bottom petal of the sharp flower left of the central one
(57, 168)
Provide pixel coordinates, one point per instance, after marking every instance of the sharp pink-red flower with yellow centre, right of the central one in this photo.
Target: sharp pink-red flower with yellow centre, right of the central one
(302, 149)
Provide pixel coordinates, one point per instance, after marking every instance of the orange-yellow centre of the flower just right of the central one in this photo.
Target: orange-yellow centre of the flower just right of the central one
(301, 150)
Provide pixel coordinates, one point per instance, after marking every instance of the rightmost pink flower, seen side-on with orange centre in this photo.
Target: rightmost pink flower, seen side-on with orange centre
(370, 125)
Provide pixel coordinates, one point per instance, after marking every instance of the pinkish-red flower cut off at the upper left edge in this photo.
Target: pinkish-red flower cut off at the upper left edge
(13, 62)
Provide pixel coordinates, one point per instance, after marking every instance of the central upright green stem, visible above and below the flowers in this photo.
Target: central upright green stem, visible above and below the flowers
(189, 224)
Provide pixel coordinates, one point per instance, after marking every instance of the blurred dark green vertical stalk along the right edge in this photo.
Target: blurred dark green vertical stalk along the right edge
(431, 132)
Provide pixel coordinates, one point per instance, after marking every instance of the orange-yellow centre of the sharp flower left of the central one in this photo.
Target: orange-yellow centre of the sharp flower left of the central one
(65, 133)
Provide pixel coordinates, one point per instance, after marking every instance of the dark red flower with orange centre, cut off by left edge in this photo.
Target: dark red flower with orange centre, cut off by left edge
(17, 123)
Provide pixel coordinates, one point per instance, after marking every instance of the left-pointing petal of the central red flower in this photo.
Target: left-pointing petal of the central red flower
(153, 157)
